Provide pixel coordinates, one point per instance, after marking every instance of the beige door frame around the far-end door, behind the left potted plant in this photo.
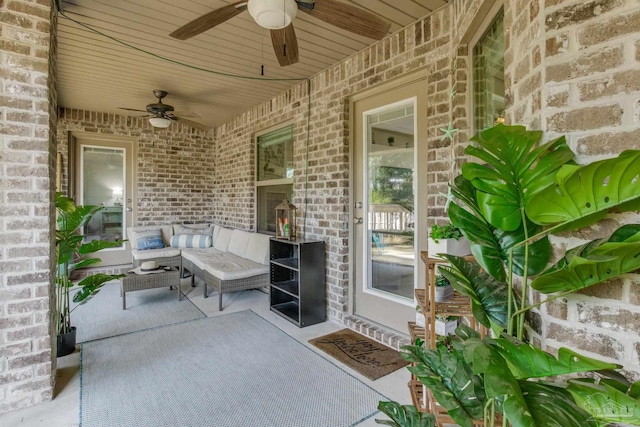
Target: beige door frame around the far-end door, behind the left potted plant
(73, 174)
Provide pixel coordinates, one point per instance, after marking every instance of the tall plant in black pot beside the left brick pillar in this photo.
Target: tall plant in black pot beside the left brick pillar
(71, 254)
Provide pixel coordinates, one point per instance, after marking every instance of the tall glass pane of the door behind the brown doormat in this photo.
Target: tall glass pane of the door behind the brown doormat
(390, 171)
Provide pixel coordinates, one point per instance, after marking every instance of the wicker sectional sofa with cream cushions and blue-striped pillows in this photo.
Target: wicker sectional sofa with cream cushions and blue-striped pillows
(226, 259)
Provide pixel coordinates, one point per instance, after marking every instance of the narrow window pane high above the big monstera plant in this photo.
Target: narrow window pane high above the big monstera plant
(488, 77)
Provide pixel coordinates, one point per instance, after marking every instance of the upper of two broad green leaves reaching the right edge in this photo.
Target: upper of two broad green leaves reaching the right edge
(589, 191)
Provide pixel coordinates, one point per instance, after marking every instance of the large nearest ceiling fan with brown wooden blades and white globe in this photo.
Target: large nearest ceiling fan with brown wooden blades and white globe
(277, 16)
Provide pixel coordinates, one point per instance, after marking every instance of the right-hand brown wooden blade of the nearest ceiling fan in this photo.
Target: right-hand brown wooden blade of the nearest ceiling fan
(350, 18)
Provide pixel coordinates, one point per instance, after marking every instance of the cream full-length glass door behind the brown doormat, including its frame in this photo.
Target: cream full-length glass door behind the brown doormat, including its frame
(389, 210)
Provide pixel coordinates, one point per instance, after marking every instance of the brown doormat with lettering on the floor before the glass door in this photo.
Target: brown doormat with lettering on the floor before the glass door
(366, 356)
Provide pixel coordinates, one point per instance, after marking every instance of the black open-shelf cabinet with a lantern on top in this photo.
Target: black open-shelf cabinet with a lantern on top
(297, 290)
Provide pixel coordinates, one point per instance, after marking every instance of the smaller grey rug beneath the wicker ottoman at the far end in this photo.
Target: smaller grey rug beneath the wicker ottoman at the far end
(103, 316)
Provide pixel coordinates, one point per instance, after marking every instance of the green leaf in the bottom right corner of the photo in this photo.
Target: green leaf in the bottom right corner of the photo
(605, 403)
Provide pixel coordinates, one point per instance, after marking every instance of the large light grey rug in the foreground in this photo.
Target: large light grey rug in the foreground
(233, 370)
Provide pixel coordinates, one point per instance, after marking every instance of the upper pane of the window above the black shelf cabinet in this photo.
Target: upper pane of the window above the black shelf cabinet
(275, 154)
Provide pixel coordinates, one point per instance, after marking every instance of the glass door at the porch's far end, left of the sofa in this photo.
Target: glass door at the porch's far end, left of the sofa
(103, 178)
